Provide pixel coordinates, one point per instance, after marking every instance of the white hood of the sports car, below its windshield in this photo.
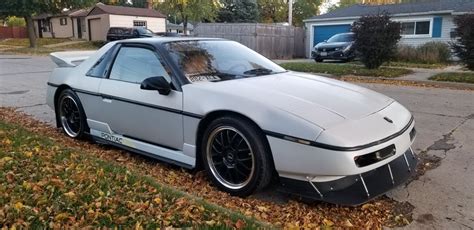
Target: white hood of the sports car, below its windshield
(307, 96)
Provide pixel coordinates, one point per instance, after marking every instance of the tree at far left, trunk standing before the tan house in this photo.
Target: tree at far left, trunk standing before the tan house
(27, 8)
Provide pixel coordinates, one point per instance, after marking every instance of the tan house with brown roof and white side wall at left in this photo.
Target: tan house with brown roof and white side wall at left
(93, 23)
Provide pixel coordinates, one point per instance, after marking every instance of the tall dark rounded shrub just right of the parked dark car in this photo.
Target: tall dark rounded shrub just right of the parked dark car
(376, 38)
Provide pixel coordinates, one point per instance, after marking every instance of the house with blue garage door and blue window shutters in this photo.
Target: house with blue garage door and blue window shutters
(421, 21)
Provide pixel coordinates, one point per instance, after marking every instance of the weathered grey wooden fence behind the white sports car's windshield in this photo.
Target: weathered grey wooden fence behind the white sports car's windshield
(272, 41)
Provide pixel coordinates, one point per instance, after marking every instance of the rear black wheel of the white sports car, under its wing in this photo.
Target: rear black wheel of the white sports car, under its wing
(71, 114)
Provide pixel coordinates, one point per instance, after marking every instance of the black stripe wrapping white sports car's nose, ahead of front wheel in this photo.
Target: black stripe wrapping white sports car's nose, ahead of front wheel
(341, 148)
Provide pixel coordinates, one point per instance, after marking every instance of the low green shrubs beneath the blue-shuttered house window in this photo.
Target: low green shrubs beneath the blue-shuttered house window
(428, 53)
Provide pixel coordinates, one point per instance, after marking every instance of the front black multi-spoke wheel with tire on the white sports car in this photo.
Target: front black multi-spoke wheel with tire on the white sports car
(235, 156)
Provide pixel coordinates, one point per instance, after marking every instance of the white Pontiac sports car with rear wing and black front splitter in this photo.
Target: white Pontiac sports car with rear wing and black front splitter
(215, 104)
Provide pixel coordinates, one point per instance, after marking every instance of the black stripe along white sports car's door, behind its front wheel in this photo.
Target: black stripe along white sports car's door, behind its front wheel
(171, 110)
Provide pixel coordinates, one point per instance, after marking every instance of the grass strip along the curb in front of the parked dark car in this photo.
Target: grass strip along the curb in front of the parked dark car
(339, 69)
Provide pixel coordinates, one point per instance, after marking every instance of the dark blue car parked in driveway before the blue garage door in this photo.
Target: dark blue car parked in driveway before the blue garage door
(338, 47)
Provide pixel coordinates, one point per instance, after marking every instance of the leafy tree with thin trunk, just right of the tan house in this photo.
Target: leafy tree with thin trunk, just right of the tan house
(194, 10)
